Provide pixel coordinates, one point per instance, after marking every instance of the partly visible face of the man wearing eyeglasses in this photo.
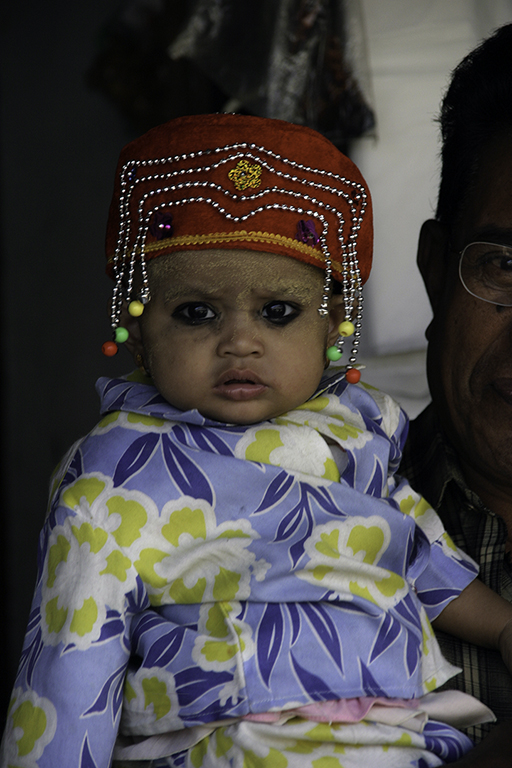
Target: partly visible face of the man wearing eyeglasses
(470, 340)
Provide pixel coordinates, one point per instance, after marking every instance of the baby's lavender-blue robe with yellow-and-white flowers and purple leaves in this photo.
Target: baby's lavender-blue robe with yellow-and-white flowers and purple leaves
(193, 572)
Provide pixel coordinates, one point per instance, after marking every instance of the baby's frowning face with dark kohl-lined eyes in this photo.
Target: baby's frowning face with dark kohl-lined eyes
(235, 334)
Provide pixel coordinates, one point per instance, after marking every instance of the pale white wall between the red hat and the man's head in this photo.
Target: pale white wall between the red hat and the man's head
(412, 45)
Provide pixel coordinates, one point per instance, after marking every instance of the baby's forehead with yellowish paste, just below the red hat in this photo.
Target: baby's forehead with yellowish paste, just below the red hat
(209, 271)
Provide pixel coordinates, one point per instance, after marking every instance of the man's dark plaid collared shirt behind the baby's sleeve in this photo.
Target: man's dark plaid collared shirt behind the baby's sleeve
(431, 467)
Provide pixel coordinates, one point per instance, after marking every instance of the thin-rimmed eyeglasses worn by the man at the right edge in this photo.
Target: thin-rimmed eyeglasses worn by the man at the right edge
(485, 270)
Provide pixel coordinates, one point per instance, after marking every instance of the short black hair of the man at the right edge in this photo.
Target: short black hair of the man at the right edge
(476, 106)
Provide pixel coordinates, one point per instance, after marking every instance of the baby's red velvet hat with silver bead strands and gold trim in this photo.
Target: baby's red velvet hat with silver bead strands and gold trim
(238, 181)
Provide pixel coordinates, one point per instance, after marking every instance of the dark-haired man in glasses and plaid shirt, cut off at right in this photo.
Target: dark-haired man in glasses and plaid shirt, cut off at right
(459, 452)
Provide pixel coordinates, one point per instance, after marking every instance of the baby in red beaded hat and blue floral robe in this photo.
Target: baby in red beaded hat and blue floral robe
(230, 572)
